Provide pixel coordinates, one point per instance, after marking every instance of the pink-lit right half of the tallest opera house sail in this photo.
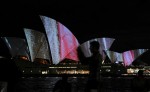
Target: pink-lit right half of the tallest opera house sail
(68, 43)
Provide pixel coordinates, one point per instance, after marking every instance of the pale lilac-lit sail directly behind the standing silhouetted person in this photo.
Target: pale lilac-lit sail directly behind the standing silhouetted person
(105, 44)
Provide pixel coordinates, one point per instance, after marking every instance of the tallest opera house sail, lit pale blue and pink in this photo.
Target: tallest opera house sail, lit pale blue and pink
(62, 42)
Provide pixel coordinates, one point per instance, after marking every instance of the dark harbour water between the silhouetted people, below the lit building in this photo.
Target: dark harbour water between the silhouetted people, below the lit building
(46, 84)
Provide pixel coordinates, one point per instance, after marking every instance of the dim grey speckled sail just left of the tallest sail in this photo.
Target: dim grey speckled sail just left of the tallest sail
(37, 43)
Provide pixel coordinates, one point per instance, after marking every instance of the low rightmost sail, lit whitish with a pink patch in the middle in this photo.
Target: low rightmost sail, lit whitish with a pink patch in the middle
(126, 57)
